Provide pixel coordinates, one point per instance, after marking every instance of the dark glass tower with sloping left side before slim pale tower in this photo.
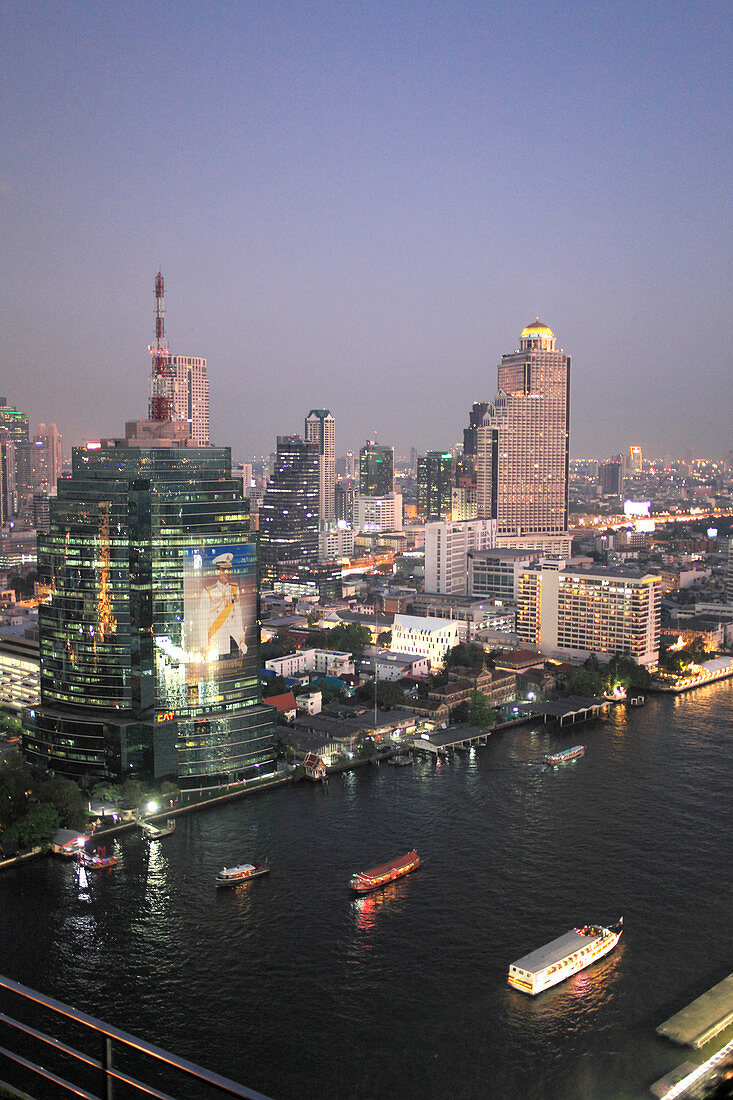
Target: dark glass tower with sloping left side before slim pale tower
(289, 513)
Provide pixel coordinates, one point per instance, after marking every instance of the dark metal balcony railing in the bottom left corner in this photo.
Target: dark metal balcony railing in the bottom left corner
(103, 1072)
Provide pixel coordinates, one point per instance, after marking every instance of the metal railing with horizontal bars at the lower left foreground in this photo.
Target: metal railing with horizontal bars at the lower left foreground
(61, 1069)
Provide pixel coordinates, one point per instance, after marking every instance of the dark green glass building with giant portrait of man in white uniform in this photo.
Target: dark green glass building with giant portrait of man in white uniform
(149, 642)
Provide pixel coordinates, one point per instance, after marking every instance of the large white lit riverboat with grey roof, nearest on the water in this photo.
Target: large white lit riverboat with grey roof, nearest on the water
(564, 958)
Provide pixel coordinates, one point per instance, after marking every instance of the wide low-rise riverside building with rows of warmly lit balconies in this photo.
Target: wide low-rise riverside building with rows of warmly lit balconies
(572, 613)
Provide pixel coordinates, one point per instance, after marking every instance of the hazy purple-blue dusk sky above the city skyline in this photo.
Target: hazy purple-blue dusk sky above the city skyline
(359, 206)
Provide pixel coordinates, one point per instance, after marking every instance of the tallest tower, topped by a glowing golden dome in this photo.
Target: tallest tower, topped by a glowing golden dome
(523, 441)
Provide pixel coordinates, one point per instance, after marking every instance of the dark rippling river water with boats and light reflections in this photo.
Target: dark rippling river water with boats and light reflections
(296, 988)
